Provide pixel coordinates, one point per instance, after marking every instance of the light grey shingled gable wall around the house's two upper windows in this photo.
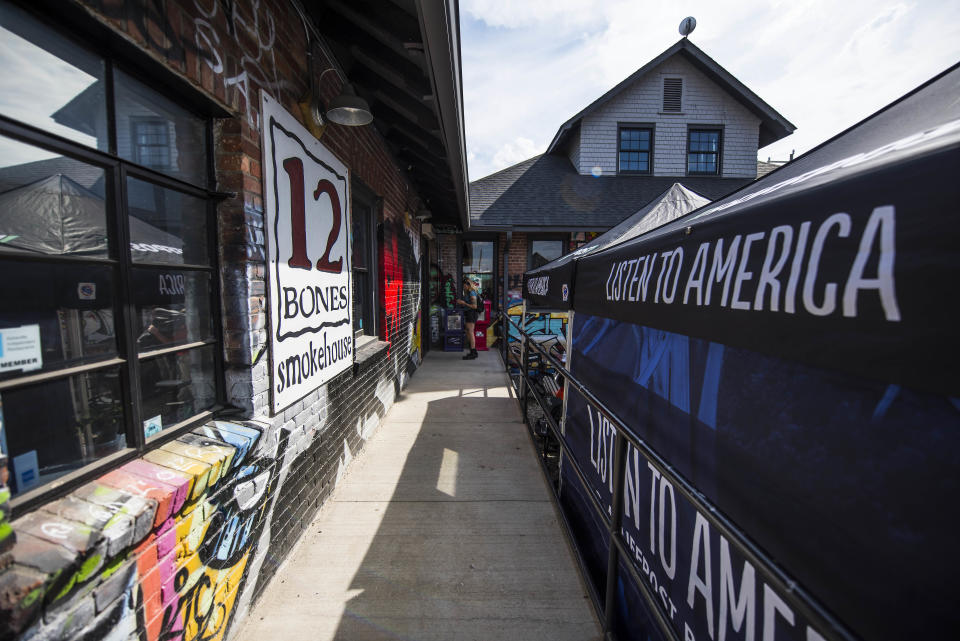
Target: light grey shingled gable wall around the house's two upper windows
(704, 103)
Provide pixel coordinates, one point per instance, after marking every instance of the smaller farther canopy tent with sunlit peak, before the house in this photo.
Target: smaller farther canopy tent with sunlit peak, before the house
(548, 286)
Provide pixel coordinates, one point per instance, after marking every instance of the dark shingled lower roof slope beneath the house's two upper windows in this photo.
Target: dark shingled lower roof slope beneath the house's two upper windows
(547, 192)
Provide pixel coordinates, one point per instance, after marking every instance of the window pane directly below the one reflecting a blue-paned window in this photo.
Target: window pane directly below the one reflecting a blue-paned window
(166, 226)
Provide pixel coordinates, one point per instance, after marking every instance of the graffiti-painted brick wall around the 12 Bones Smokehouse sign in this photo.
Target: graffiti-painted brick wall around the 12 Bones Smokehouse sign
(179, 542)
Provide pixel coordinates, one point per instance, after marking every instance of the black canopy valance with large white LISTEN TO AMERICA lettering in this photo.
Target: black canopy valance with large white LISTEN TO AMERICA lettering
(858, 275)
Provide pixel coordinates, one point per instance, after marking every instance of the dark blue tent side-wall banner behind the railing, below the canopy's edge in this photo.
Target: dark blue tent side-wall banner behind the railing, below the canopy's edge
(847, 485)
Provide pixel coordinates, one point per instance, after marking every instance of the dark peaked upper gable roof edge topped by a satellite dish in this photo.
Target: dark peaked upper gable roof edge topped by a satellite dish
(773, 126)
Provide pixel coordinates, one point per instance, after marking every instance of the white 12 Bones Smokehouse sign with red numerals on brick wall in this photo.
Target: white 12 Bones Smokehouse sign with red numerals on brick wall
(306, 195)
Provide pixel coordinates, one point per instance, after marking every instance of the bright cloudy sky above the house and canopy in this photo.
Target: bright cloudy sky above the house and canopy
(529, 65)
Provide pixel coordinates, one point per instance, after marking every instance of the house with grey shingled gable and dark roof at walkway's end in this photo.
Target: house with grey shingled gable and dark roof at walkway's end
(680, 118)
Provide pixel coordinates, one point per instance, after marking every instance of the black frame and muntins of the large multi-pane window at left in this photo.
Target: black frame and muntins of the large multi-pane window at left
(128, 359)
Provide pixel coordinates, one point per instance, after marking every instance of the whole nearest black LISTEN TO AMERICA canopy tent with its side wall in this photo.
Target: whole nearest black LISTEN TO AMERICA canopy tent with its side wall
(790, 349)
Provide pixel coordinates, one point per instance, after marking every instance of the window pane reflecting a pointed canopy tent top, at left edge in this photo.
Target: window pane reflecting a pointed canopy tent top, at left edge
(50, 204)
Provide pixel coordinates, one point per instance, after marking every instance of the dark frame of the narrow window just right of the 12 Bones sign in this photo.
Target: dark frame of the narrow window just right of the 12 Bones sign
(364, 202)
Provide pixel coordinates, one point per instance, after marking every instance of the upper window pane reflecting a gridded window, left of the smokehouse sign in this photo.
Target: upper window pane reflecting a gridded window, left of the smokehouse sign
(155, 132)
